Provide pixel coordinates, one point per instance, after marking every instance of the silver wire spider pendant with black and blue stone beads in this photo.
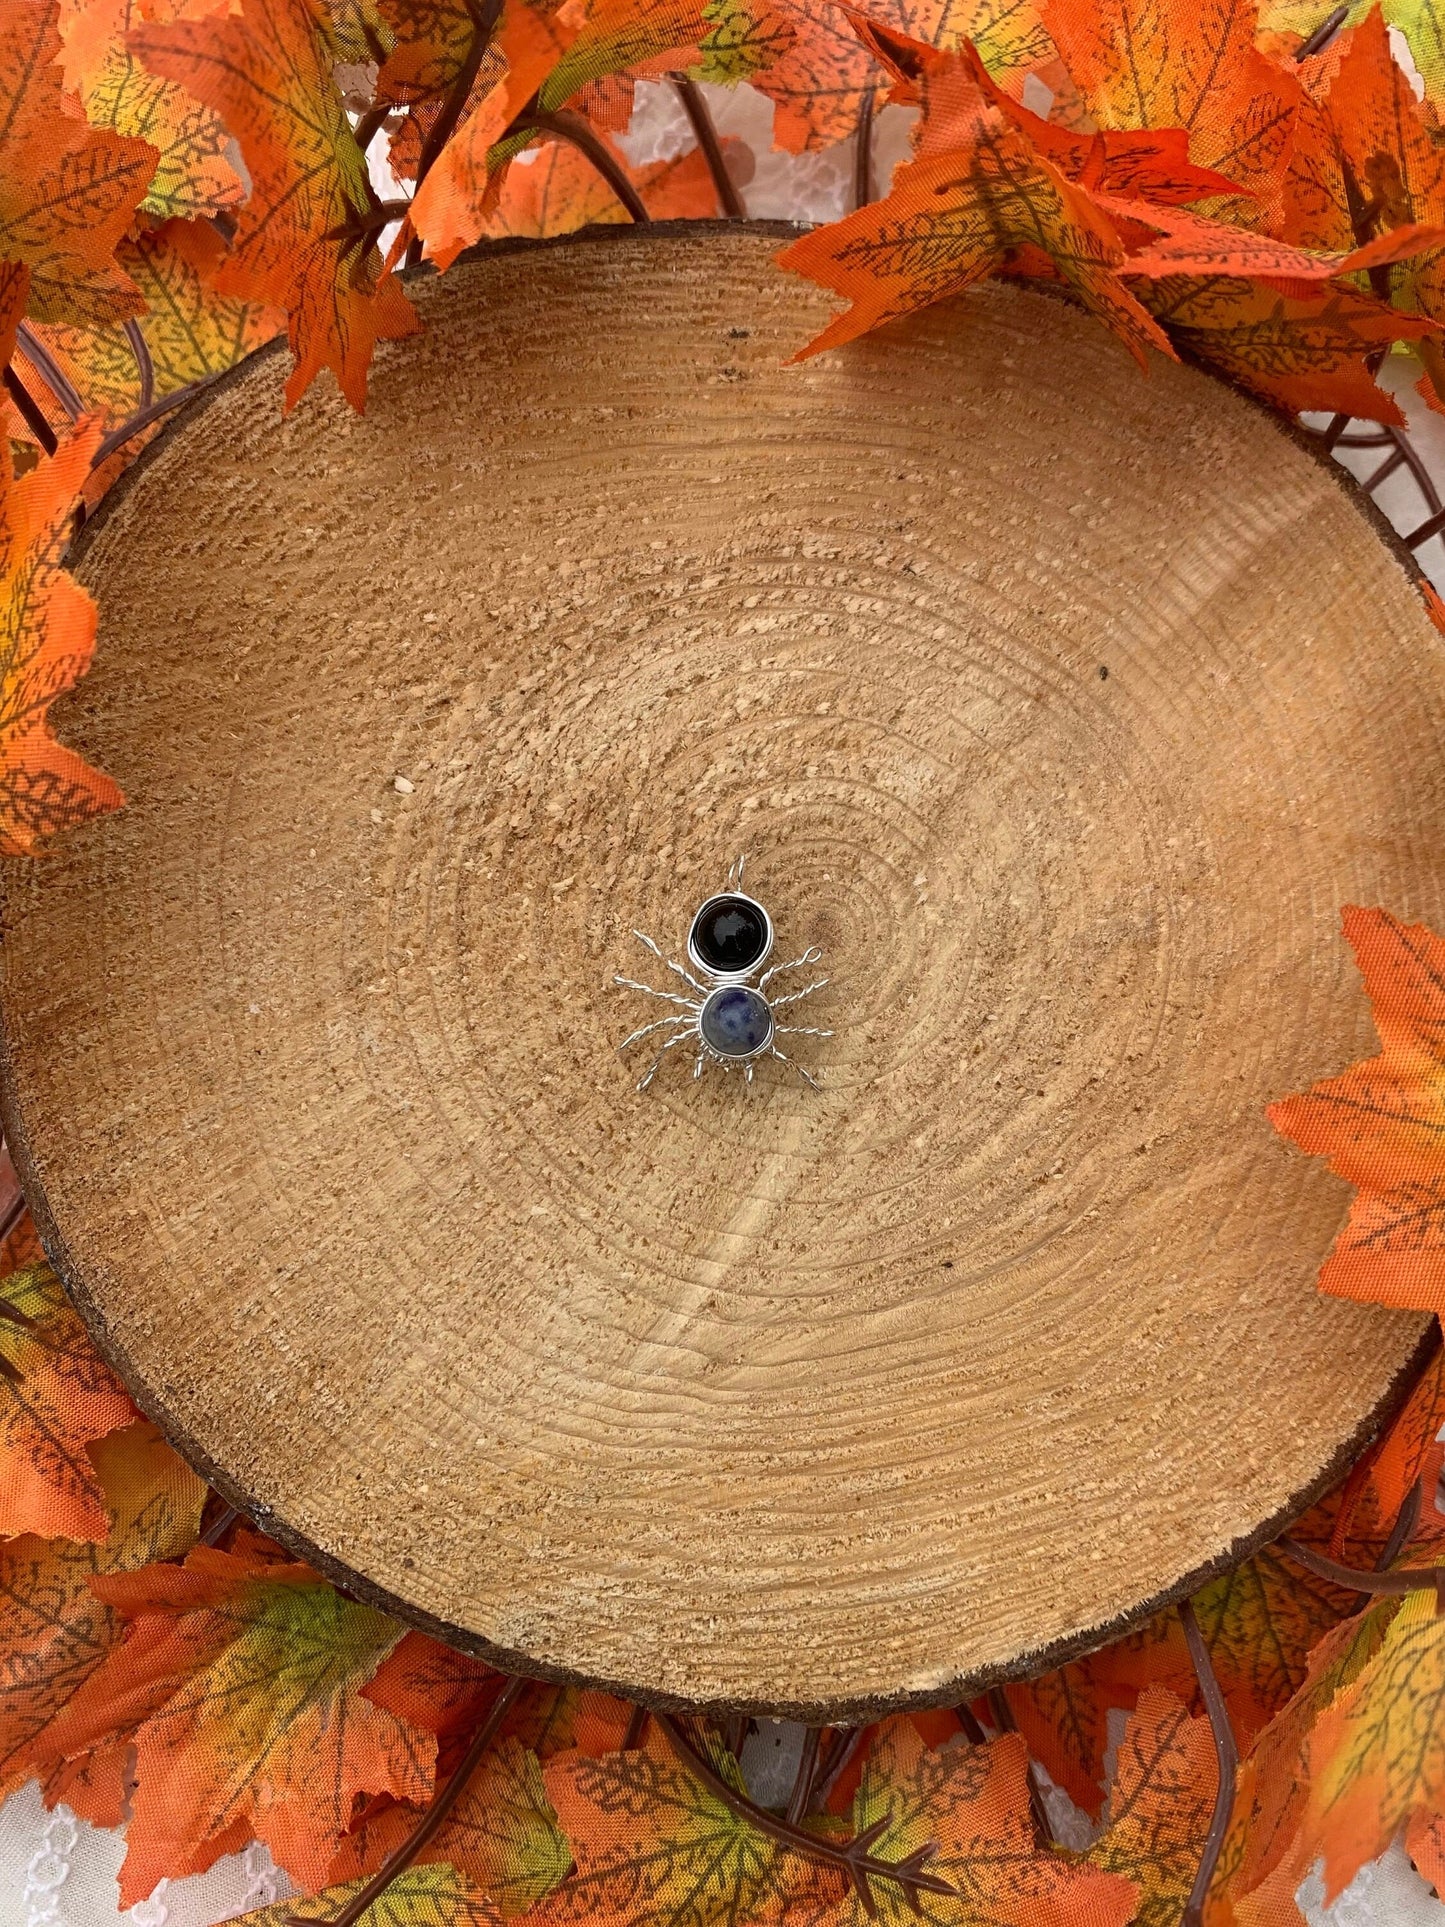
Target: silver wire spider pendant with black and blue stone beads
(731, 1020)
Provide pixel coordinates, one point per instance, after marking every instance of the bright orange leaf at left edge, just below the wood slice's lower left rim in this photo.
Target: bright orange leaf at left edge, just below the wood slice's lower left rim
(57, 1396)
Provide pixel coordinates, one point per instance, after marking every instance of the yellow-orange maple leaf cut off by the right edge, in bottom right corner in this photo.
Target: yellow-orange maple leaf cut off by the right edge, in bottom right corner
(1377, 1758)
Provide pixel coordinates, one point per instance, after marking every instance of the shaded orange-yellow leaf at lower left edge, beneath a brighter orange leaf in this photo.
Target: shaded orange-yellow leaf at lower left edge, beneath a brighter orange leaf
(53, 1629)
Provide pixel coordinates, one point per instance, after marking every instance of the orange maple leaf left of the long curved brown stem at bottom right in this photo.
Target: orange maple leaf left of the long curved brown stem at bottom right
(1161, 1807)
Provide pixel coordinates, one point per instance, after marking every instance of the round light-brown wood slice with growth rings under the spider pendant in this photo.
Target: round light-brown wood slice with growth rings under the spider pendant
(1063, 706)
